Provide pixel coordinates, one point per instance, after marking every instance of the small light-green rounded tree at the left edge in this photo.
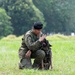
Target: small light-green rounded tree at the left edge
(5, 24)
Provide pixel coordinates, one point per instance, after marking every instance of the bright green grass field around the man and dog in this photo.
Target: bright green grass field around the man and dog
(63, 56)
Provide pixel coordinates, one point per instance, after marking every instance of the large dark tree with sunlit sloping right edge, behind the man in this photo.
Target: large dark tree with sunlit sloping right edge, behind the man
(23, 13)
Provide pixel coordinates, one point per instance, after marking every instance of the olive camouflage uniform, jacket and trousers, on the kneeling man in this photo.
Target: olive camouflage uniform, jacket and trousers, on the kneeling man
(30, 41)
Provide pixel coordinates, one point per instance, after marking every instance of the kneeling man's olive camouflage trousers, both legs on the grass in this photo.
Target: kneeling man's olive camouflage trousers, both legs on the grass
(38, 56)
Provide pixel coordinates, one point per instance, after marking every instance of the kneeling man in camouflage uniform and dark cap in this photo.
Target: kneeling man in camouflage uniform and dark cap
(31, 47)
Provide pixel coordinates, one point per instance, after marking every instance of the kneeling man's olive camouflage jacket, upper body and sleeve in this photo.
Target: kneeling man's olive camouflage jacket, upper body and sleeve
(30, 41)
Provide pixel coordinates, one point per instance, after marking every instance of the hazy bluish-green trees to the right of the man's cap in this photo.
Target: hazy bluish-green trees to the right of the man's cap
(59, 15)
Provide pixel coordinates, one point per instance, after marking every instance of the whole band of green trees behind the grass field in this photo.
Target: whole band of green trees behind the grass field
(18, 16)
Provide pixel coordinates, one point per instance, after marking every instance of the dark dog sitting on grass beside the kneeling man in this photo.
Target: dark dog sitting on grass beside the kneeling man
(46, 63)
